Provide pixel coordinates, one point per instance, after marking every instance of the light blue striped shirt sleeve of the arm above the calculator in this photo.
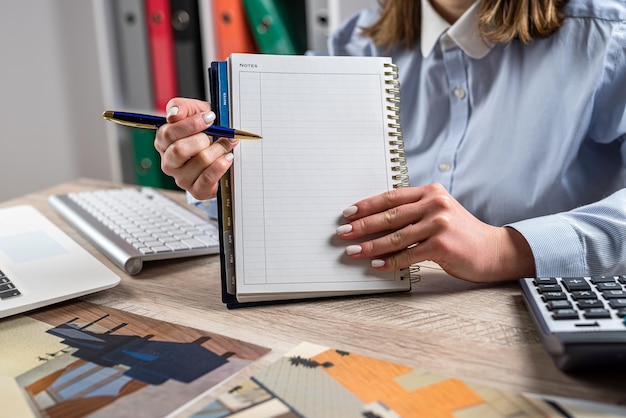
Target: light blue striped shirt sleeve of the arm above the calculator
(590, 240)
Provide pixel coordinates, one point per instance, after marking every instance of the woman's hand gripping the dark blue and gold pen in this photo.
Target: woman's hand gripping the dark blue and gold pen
(189, 155)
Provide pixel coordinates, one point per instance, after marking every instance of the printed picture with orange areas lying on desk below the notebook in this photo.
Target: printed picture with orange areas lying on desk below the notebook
(317, 381)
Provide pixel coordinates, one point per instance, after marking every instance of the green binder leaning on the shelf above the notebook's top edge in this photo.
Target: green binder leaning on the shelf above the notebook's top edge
(278, 26)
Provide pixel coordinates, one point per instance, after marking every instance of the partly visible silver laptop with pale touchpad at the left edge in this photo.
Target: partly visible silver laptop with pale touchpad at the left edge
(41, 265)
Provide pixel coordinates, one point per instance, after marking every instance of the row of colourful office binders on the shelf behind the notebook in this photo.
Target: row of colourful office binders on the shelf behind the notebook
(157, 49)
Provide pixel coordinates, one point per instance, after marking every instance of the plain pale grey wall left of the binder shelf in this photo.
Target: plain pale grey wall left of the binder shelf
(50, 96)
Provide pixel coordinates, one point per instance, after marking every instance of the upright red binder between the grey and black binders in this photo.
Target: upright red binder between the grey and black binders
(161, 46)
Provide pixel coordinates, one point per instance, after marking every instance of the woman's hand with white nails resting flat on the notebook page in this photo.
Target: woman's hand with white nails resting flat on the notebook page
(427, 223)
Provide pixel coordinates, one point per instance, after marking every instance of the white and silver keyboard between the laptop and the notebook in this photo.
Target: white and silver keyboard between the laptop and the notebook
(133, 225)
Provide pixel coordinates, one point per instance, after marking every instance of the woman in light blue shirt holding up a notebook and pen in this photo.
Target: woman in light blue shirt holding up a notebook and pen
(513, 114)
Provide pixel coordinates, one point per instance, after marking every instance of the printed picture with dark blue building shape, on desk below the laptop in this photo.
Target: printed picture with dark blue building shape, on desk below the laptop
(82, 359)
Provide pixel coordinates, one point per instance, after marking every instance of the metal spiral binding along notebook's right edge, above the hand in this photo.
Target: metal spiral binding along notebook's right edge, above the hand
(395, 130)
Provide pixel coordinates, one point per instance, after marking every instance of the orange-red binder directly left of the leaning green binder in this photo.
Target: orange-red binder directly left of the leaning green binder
(232, 32)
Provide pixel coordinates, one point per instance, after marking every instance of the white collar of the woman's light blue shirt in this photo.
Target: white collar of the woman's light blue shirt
(463, 33)
